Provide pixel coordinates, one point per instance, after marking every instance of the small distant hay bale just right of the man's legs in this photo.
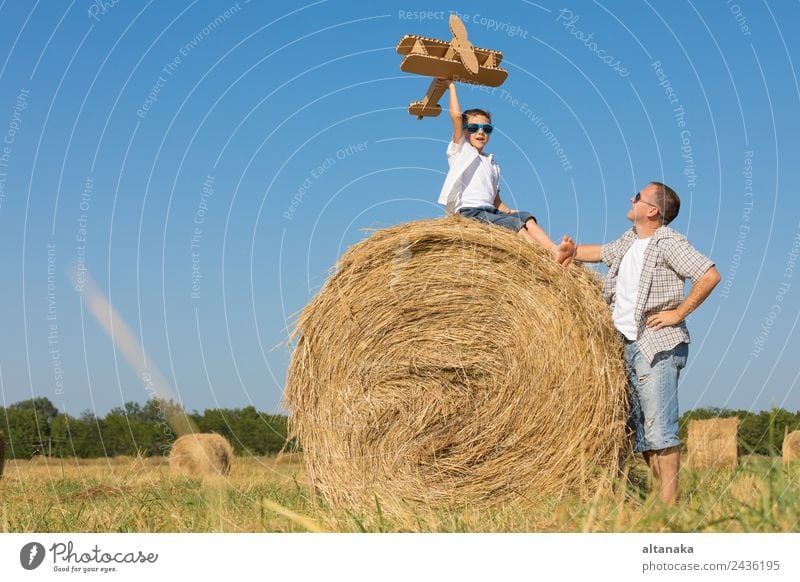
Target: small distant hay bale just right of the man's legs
(712, 443)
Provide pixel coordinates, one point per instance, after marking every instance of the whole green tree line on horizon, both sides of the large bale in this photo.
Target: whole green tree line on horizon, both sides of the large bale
(36, 427)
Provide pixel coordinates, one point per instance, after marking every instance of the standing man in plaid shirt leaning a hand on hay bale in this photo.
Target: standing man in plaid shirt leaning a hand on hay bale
(644, 287)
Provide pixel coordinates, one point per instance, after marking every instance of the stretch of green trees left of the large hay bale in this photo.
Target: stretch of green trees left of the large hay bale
(36, 427)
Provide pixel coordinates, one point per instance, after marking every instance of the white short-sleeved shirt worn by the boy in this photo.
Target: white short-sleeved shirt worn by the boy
(470, 173)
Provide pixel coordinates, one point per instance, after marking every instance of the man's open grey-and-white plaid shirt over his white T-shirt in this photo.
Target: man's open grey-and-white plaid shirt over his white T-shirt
(668, 261)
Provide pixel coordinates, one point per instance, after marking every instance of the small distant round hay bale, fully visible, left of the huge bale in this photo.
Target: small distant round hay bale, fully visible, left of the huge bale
(196, 455)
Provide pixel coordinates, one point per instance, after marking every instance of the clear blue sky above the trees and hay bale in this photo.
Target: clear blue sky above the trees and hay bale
(207, 163)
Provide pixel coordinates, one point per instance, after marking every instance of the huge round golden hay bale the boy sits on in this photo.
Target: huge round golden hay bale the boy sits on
(447, 363)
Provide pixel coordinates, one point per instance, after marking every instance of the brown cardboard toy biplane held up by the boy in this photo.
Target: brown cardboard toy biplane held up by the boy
(456, 59)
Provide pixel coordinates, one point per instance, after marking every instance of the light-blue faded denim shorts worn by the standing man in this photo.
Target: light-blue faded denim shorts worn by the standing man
(653, 391)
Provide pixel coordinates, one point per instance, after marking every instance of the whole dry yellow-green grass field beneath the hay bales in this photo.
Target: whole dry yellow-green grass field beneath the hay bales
(262, 494)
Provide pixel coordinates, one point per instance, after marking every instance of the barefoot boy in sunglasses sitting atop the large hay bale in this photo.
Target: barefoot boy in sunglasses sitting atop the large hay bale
(472, 186)
